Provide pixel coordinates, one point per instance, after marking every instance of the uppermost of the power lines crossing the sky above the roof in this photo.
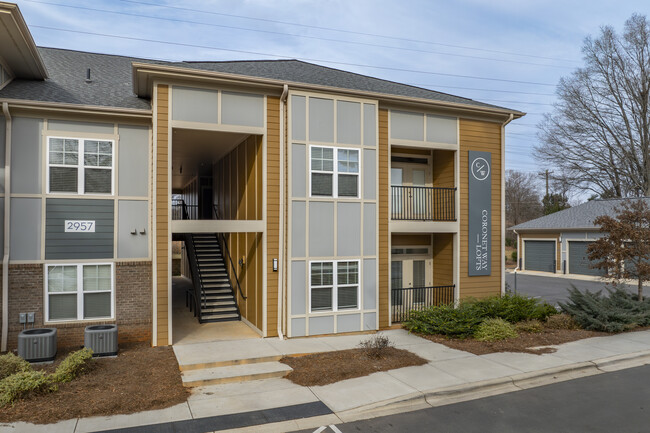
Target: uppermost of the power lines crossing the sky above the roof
(202, 11)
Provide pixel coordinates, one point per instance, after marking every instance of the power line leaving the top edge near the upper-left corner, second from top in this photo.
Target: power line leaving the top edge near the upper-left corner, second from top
(177, 20)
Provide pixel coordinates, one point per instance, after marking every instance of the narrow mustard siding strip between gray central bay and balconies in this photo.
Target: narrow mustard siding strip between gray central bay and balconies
(384, 256)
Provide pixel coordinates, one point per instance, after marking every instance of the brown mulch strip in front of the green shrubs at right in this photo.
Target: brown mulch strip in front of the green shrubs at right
(525, 342)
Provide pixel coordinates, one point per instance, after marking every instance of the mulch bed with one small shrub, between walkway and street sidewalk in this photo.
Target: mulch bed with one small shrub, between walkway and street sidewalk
(330, 367)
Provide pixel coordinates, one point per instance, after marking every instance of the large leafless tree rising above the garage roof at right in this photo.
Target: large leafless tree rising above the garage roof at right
(598, 134)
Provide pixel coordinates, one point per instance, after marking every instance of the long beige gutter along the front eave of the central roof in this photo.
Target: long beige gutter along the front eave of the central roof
(177, 72)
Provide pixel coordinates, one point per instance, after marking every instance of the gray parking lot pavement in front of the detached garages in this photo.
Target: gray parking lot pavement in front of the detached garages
(554, 289)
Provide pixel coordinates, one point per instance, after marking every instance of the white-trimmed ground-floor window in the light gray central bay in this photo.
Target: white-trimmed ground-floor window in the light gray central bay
(334, 286)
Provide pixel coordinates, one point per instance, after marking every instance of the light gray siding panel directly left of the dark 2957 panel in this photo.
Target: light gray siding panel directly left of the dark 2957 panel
(25, 229)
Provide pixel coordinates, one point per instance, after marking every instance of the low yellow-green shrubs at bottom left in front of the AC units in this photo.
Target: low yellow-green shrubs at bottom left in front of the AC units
(18, 379)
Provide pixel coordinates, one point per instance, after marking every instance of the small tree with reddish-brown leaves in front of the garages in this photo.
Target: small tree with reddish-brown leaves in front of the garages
(624, 251)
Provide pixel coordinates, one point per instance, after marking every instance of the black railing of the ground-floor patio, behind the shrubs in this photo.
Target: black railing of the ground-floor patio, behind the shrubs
(405, 300)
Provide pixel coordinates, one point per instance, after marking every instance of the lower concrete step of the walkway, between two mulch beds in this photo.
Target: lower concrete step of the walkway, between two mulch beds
(234, 373)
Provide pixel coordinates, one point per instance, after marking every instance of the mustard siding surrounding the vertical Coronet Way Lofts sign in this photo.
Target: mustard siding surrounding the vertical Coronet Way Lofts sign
(486, 137)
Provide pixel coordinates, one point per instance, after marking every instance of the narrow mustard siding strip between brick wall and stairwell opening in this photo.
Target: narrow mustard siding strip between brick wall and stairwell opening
(161, 241)
